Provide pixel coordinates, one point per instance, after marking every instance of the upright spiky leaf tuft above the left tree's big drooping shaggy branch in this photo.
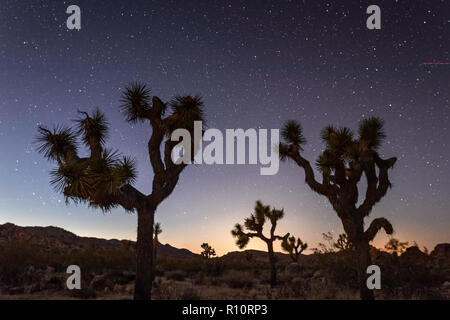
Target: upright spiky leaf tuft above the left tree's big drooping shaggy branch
(93, 127)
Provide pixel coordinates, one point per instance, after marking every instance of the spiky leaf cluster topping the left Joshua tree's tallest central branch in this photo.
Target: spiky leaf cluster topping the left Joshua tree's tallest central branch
(135, 102)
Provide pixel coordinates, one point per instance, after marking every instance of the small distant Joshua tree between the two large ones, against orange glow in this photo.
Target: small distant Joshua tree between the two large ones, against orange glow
(255, 224)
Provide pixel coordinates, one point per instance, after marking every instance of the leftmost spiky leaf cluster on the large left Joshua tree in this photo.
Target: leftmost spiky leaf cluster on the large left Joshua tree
(53, 144)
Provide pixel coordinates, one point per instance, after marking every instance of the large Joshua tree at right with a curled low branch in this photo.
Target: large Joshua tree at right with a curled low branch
(342, 164)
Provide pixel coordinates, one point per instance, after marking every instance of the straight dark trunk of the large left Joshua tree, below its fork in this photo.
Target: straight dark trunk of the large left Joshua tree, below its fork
(144, 254)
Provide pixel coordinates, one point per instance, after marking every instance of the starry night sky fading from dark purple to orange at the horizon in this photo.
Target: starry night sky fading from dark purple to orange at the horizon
(256, 64)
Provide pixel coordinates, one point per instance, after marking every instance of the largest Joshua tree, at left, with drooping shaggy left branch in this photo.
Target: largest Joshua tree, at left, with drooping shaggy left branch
(104, 180)
